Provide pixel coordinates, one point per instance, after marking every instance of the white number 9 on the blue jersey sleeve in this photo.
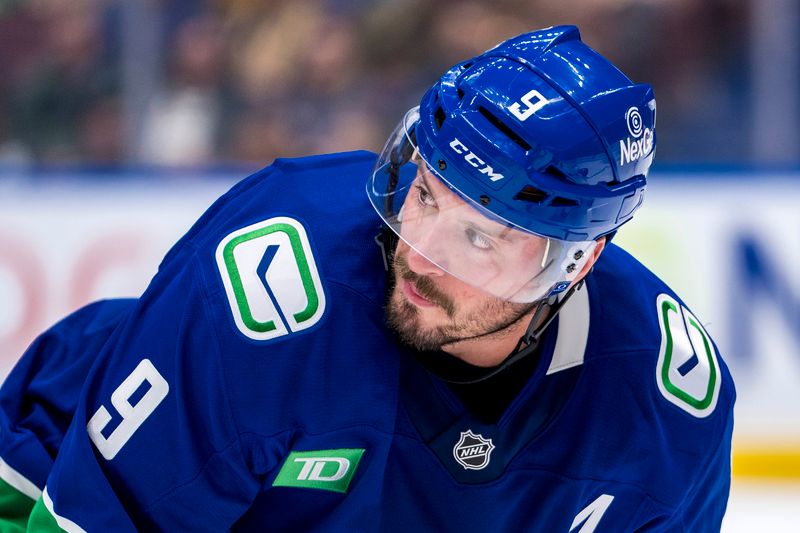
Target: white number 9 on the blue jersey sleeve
(132, 415)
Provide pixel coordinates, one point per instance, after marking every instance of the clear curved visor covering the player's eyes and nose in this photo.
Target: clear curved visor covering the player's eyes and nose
(462, 237)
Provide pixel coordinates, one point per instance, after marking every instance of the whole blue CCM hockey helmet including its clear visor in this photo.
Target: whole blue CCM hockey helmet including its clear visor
(541, 136)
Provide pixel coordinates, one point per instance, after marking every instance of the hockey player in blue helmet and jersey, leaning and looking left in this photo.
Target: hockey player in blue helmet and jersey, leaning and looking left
(532, 375)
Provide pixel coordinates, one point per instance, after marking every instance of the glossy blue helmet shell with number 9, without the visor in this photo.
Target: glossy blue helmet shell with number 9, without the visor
(543, 132)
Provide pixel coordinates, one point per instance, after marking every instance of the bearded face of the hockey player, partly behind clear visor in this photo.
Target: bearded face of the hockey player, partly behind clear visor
(430, 308)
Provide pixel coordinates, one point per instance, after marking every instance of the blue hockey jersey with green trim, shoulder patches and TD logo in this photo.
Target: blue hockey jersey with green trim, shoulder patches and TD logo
(254, 386)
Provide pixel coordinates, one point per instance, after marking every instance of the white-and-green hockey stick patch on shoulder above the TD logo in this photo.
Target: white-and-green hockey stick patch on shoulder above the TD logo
(271, 279)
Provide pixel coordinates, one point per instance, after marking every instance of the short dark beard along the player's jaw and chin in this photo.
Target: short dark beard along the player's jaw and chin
(403, 317)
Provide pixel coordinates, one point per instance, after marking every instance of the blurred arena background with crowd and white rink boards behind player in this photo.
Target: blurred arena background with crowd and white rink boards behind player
(121, 121)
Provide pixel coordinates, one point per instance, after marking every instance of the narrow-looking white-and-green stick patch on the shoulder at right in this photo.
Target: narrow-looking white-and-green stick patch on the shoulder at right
(687, 372)
